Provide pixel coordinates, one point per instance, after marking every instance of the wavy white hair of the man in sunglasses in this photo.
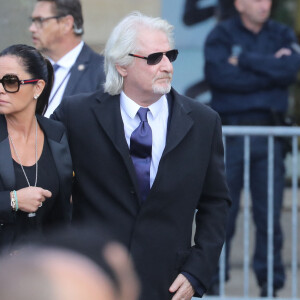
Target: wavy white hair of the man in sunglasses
(123, 40)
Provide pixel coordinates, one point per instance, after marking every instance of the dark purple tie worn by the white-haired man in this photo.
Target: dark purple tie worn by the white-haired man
(140, 151)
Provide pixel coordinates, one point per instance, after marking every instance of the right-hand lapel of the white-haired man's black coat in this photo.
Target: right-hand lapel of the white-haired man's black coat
(179, 123)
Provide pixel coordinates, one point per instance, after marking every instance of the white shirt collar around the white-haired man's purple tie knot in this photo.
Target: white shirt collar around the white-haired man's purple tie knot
(131, 108)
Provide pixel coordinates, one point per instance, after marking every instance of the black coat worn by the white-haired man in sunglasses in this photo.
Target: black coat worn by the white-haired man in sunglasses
(190, 177)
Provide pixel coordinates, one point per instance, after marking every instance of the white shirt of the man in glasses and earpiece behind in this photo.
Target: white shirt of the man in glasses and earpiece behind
(62, 74)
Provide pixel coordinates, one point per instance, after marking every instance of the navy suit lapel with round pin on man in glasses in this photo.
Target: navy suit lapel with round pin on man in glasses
(78, 69)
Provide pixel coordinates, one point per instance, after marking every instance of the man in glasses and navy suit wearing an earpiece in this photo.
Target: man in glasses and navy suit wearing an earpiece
(57, 29)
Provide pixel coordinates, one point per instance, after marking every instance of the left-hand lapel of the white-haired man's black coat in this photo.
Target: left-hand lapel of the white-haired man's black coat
(108, 114)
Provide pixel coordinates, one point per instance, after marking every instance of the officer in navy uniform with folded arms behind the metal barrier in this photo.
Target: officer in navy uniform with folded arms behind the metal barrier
(250, 63)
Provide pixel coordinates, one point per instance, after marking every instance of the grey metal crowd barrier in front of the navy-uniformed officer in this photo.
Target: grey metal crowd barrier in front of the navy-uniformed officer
(270, 133)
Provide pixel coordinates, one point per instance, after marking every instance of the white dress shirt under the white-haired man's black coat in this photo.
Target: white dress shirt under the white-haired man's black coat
(158, 120)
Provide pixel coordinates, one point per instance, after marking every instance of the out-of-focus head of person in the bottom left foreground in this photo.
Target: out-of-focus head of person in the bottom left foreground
(76, 263)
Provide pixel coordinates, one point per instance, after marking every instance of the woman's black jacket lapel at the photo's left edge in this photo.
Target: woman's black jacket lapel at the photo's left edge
(7, 173)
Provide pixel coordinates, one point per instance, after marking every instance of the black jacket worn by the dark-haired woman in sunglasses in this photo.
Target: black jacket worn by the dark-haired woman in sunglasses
(61, 209)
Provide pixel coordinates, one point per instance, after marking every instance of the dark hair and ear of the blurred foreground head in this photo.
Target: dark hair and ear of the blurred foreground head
(100, 246)
